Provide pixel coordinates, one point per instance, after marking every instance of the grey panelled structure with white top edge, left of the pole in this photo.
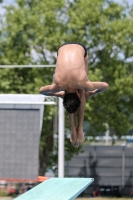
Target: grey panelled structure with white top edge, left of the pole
(21, 118)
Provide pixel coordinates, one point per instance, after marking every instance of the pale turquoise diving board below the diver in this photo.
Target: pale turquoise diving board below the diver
(57, 189)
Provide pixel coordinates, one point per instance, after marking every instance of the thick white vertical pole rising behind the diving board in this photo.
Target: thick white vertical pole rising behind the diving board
(61, 140)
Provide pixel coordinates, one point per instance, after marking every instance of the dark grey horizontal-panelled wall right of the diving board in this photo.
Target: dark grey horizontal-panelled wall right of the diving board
(110, 166)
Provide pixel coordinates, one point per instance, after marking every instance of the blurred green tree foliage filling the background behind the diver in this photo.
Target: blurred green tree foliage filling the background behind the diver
(31, 33)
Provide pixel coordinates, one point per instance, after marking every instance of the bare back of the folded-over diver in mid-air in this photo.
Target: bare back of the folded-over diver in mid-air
(70, 66)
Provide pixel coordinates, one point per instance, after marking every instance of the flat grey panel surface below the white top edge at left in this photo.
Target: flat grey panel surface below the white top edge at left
(19, 143)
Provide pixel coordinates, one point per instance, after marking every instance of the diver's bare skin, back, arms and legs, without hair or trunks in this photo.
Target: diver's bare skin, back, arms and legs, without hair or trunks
(71, 76)
